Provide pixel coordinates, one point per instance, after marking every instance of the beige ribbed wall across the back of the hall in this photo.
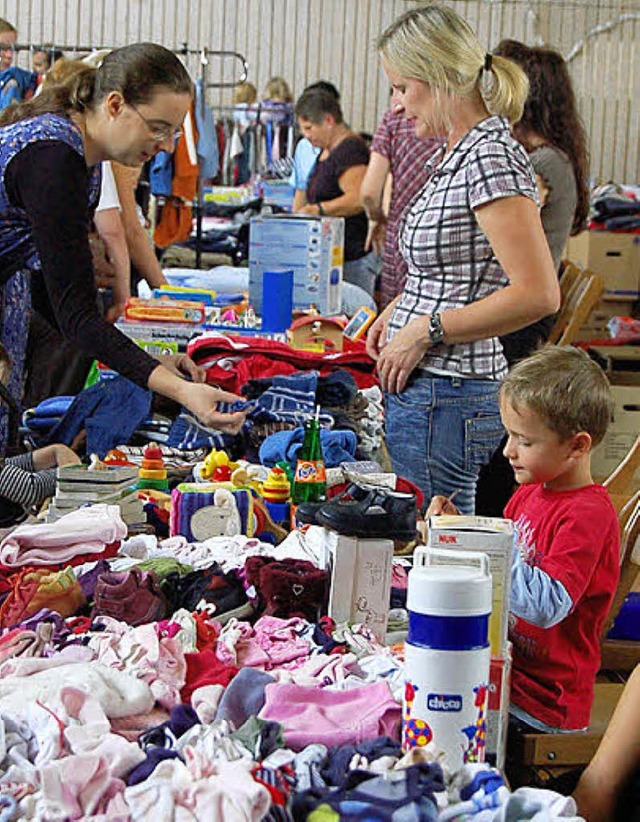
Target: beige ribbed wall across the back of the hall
(305, 40)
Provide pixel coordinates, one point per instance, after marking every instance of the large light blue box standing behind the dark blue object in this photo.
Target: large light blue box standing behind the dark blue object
(311, 246)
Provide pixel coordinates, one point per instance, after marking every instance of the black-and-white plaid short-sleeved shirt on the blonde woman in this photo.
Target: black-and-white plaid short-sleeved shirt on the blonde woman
(450, 260)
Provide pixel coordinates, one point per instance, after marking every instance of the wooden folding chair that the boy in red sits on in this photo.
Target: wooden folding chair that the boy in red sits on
(535, 757)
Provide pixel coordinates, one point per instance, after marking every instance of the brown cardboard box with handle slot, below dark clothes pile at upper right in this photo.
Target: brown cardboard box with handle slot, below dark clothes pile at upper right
(612, 255)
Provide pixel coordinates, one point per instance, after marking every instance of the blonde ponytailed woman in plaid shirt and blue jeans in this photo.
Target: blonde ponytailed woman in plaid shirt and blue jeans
(479, 264)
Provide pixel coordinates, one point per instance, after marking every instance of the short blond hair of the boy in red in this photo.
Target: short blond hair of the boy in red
(566, 388)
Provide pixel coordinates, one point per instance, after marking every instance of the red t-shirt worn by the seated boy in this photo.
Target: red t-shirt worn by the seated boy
(574, 537)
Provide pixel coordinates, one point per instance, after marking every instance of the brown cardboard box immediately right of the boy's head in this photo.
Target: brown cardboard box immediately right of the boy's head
(621, 434)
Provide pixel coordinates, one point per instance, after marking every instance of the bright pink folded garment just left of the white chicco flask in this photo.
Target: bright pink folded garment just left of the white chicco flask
(314, 715)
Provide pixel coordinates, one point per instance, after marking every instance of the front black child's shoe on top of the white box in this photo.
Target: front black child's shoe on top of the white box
(368, 511)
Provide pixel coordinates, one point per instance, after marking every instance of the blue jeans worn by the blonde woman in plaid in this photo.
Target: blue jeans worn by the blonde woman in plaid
(440, 431)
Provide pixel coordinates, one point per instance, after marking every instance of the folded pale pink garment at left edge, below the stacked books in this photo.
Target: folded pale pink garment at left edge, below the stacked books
(85, 531)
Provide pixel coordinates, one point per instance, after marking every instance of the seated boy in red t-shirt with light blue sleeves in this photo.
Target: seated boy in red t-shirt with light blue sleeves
(556, 405)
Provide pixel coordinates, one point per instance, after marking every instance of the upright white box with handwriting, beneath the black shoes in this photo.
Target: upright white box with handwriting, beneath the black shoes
(361, 582)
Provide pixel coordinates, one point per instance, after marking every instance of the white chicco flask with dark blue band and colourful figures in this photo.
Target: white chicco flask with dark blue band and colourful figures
(447, 654)
